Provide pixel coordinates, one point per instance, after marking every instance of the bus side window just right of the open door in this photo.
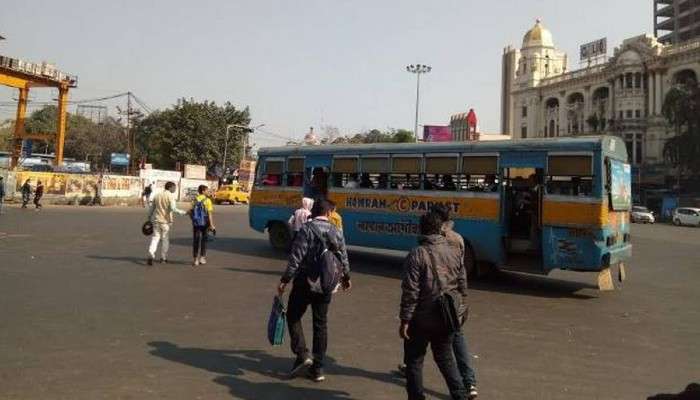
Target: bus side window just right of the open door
(570, 175)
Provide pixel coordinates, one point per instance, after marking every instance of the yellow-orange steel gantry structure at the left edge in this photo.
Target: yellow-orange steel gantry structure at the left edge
(25, 76)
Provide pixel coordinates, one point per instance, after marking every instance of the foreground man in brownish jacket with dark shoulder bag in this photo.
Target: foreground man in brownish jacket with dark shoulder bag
(421, 320)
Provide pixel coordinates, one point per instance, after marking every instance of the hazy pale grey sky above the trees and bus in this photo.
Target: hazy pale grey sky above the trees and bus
(304, 63)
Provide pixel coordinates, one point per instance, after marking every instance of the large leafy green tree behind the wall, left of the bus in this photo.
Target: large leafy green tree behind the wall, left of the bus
(192, 132)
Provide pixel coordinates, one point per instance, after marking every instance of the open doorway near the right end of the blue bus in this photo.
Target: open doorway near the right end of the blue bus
(523, 190)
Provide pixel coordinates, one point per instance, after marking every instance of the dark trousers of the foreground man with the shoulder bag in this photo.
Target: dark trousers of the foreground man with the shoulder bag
(414, 353)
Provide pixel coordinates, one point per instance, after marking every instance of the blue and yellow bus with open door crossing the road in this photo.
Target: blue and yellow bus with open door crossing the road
(530, 205)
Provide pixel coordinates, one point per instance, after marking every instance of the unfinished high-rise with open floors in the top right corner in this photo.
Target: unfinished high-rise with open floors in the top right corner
(676, 21)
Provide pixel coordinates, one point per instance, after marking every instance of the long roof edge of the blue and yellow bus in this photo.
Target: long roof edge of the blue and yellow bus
(611, 145)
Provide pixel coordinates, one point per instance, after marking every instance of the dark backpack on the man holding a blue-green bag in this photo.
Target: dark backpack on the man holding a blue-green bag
(325, 268)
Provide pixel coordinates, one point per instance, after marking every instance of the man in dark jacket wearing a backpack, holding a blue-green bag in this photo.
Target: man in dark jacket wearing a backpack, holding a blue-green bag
(305, 247)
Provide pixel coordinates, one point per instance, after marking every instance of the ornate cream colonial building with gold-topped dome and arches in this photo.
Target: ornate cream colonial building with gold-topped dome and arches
(541, 97)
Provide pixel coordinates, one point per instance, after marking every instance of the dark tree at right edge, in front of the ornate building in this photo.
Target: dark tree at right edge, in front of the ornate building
(681, 109)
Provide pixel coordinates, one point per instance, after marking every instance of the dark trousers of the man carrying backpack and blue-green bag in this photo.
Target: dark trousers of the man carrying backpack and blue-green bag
(299, 300)
